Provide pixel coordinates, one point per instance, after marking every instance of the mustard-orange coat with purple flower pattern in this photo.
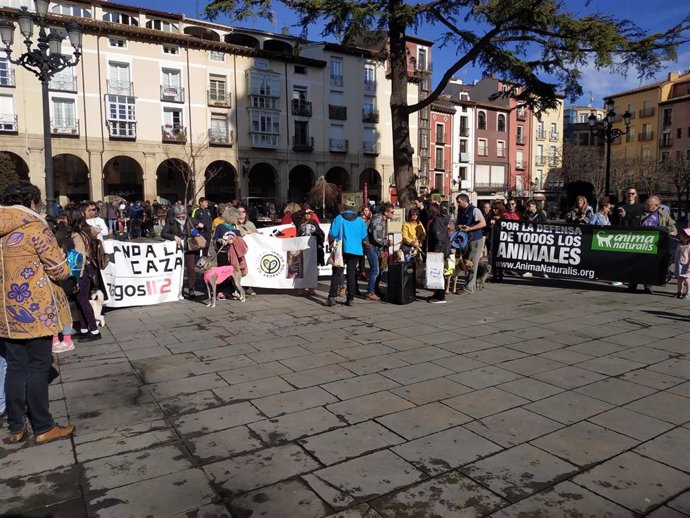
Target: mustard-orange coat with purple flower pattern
(33, 303)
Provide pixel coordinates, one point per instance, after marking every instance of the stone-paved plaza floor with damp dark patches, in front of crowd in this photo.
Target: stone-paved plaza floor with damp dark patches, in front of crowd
(533, 398)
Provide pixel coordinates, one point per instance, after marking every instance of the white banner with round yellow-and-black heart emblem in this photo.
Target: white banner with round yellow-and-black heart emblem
(275, 262)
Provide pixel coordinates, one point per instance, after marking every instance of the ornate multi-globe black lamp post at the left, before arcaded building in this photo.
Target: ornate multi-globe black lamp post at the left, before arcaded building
(44, 61)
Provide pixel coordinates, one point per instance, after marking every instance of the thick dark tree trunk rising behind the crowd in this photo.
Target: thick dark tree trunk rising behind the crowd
(402, 147)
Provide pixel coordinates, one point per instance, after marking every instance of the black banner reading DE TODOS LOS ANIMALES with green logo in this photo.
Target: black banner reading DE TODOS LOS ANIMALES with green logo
(627, 254)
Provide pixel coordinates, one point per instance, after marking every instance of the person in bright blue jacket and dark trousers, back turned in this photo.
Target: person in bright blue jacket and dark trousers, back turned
(351, 228)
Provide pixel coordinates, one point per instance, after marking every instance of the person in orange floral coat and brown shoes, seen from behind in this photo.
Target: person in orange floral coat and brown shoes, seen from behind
(33, 308)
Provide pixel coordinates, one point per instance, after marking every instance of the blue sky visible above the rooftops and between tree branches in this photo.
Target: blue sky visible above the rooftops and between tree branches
(652, 15)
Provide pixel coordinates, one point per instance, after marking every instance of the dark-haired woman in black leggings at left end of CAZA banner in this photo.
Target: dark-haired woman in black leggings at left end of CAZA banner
(85, 242)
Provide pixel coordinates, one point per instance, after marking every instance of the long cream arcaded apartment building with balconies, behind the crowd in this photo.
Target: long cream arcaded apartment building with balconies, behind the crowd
(155, 95)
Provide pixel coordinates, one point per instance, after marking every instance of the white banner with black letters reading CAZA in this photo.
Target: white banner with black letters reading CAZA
(142, 274)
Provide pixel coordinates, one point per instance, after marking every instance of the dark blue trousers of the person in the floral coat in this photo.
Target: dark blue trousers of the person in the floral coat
(28, 371)
